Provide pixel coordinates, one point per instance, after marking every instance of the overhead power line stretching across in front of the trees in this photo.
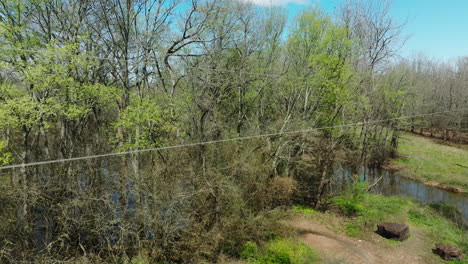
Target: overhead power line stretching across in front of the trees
(214, 141)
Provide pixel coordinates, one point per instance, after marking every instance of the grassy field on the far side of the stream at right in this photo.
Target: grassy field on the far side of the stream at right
(426, 160)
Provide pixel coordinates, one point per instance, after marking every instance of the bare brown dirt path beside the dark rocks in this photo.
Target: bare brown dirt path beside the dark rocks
(338, 248)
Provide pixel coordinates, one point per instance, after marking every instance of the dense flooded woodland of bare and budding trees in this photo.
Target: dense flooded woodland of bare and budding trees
(81, 78)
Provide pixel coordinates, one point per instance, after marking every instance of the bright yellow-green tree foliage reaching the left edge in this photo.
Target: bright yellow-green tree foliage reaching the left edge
(49, 91)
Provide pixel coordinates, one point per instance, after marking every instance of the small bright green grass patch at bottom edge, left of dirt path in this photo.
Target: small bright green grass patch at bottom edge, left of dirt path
(279, 251)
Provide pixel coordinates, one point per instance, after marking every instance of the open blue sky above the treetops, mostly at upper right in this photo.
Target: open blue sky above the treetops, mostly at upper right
(436, 28)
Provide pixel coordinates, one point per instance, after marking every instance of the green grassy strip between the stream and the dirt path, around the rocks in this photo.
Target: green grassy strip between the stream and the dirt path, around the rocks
(440, 223)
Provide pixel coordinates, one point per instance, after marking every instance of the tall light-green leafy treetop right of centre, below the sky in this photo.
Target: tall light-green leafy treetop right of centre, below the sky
(319, 48)
